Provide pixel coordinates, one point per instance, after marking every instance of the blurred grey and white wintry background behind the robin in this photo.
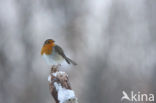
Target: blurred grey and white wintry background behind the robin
(113, 42)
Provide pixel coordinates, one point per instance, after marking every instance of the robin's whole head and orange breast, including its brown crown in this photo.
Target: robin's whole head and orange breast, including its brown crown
(47, 46)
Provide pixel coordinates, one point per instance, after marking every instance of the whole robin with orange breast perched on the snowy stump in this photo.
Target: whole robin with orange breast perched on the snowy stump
(54, 54)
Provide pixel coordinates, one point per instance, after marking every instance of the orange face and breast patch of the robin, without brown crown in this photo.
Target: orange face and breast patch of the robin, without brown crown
(47, 49)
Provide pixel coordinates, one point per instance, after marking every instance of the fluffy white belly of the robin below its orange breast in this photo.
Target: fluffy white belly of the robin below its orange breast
(53, 59)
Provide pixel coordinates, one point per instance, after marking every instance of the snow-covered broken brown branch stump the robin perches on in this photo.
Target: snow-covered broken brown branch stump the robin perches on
(60, 87)
